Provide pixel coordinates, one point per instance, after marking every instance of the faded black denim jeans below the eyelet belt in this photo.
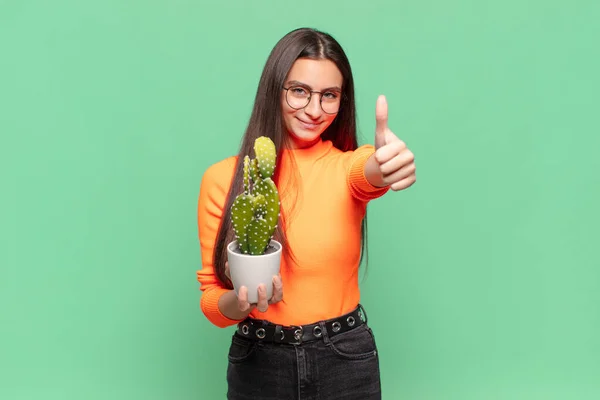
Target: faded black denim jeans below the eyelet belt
(344, 366)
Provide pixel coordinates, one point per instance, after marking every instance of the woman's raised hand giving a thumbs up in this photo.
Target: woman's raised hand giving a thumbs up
(393, 160)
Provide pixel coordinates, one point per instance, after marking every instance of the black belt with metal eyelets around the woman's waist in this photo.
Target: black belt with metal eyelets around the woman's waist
(268, 332)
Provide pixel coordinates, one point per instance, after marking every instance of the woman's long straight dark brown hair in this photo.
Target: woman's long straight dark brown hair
(266, 120)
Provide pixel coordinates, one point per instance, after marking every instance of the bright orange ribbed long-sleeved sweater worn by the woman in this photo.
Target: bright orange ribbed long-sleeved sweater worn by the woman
(329, 202)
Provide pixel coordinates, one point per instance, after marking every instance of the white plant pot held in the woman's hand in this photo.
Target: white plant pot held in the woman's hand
(250, 271)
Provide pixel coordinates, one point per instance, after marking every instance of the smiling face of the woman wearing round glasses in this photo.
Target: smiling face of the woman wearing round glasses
(305, 125)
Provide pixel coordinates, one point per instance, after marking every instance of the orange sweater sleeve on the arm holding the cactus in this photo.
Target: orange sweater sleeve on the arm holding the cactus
(213, 193)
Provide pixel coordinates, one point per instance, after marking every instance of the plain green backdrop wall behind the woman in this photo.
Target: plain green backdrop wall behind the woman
(483, 281)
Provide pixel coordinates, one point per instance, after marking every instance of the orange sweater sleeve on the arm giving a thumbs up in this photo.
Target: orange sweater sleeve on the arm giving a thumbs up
(358, 184)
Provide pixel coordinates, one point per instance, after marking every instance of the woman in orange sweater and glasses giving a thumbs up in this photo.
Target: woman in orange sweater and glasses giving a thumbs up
(311, 339)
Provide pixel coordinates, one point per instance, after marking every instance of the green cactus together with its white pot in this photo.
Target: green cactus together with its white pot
(254, 257)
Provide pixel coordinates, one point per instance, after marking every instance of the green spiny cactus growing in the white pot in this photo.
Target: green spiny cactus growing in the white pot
(255, 212)
